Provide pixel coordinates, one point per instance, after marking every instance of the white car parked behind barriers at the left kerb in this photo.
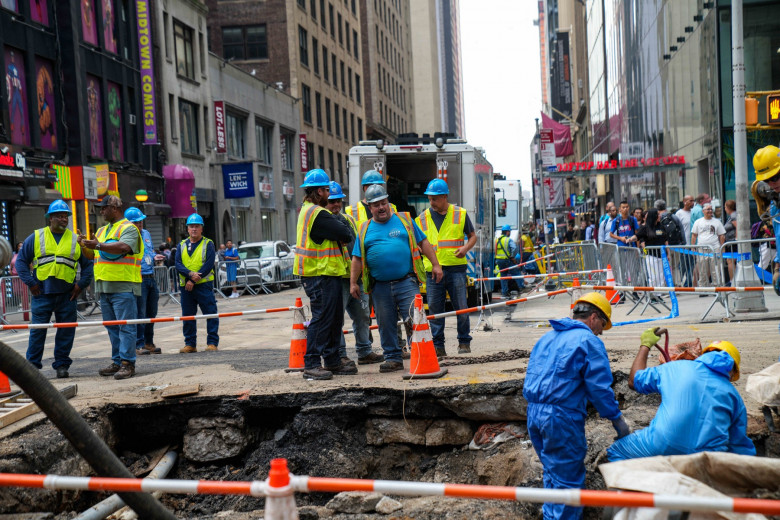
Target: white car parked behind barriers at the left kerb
(269, 263)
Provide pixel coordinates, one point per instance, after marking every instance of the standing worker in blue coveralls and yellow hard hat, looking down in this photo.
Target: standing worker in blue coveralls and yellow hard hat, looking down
(569, 367)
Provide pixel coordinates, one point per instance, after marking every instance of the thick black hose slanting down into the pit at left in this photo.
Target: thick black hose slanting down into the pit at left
(76, 430)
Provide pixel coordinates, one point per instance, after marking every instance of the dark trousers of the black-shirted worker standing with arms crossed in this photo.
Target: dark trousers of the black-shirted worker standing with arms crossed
(324, 333)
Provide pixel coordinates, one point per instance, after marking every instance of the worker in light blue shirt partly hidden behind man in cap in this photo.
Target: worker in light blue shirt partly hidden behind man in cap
(146, 304)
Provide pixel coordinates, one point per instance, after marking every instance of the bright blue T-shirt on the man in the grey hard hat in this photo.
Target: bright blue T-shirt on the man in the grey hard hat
(387, 249)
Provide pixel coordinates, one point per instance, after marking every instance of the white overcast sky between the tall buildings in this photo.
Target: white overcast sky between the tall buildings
(501, 81)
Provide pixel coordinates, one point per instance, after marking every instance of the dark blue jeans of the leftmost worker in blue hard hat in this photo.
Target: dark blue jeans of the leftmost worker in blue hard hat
(64, 310)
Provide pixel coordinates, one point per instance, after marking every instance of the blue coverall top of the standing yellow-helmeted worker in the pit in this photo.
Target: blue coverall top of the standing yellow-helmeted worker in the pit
(569, 366)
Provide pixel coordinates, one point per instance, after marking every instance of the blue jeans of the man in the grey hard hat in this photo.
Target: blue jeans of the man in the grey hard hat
(390, 300)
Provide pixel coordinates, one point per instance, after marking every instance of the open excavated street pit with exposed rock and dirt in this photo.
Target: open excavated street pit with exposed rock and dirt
(425, 435)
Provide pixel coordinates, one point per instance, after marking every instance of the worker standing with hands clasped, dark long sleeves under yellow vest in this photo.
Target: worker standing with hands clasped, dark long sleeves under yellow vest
(195, 264)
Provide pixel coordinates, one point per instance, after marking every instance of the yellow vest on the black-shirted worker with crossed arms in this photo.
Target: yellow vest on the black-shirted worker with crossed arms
(312, 259)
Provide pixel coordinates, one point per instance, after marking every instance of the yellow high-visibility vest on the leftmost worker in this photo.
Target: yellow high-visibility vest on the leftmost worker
(53, 259)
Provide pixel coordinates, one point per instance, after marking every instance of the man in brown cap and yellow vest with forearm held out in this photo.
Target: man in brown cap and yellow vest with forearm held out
(118, 282)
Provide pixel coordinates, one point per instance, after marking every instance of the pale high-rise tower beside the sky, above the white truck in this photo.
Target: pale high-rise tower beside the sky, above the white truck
(436, 70)
